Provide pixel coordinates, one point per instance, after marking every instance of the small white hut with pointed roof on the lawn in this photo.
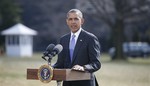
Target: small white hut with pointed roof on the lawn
(19, 41)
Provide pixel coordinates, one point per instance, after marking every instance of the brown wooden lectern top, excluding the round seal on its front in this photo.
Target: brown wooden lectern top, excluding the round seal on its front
(61, 74)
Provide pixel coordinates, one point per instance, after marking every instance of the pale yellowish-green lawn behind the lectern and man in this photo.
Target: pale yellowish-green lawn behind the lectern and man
(134, 72)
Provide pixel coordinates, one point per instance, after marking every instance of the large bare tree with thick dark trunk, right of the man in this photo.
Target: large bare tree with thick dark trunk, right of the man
(122, 12)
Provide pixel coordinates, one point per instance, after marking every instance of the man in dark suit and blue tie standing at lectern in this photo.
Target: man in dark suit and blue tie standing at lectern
(81, 50)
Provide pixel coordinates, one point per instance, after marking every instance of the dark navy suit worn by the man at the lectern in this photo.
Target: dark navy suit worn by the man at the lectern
(86, 53)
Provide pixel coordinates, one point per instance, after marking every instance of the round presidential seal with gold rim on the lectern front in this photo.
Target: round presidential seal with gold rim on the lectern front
(45, 73)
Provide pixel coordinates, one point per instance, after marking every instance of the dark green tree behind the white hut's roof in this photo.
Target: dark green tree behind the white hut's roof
(9, 15)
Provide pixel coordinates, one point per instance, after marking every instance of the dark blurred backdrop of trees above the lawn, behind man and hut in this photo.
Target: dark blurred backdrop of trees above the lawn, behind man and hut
(112, 21)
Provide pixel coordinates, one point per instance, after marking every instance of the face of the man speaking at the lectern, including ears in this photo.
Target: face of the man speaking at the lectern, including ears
(74, 22)
